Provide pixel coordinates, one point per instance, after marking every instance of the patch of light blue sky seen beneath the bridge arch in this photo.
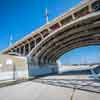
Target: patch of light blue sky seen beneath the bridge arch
(88, 54)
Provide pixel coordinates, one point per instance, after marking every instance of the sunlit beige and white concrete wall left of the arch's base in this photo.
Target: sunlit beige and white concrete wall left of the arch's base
(11, 66)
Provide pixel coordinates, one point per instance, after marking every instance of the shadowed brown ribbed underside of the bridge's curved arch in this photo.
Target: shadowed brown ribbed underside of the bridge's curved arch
(84, 31)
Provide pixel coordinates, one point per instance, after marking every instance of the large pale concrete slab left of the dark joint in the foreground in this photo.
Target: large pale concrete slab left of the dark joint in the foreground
(34, 91)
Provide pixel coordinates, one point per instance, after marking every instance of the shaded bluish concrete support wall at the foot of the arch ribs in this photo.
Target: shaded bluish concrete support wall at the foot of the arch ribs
(41, 70)
